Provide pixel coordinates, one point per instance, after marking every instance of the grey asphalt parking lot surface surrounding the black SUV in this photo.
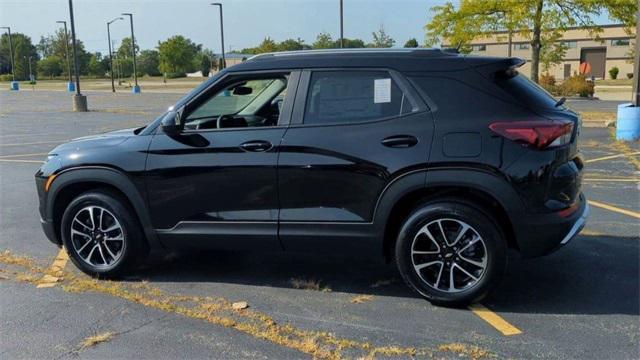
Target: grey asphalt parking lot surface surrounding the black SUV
(581, 302)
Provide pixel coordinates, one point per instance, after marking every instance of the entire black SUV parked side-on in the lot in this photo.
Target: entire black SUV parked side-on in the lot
(438, 161)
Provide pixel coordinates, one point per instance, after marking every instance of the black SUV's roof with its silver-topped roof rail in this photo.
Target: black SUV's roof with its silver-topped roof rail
(401, 59)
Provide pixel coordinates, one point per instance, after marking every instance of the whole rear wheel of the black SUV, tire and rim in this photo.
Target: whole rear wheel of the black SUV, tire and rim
(451, 252)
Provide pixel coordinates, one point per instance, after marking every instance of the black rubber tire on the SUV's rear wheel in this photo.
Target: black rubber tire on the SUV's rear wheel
(451, 211)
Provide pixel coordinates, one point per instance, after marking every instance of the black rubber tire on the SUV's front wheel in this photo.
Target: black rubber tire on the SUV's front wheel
(133, 248)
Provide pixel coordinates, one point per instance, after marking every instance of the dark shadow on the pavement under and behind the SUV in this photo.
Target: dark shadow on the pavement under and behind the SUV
(591, 275)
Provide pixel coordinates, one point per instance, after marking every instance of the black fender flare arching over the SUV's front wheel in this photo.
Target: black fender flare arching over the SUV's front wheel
(111, 177)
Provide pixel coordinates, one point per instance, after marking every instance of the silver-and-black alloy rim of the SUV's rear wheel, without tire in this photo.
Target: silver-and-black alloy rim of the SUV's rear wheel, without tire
(449, 255)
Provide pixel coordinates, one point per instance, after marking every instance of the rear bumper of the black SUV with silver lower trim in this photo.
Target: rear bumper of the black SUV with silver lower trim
(539, 235)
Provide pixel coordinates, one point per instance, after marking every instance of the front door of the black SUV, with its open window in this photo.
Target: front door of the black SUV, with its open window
(214, 184)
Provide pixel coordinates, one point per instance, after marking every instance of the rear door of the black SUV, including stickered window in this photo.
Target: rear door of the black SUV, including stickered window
(352, 132)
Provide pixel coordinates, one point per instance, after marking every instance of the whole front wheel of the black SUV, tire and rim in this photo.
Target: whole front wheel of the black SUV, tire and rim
(101, 234)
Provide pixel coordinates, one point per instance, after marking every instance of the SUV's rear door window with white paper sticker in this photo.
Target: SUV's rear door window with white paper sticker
(352, 97)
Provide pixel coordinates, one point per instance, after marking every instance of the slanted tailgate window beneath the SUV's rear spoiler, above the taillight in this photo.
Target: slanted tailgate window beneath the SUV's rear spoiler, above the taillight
(526, 91)
